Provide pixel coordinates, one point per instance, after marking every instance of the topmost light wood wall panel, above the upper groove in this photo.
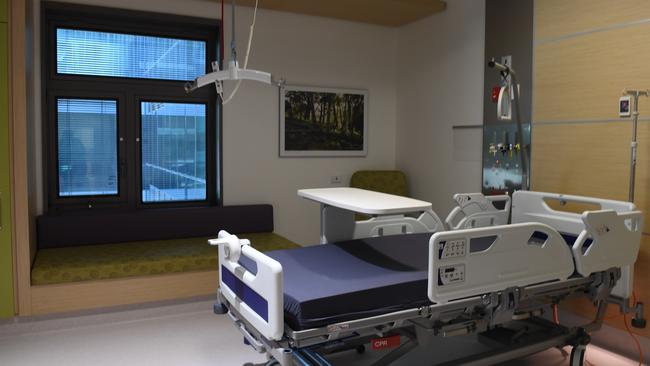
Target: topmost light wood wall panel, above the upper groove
(561, 17)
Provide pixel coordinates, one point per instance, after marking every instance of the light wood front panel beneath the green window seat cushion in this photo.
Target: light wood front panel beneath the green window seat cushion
(97, 294)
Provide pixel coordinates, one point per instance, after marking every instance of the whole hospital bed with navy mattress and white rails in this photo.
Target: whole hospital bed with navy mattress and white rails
(299, 305)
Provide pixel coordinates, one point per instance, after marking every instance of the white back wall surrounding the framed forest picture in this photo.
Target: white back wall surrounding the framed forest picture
(306, 51)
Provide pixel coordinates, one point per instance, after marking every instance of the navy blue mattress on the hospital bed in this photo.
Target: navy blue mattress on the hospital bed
(331, 283)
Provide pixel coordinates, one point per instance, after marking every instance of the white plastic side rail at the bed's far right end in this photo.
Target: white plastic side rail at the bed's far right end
(610, 239)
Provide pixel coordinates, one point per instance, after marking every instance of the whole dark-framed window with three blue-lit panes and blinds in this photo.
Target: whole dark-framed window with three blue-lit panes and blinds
(121, 131)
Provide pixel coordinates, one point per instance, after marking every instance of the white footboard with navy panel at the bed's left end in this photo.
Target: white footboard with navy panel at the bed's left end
(256, 293)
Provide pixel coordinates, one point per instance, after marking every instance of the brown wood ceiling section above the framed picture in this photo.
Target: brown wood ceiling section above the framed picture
(393, 13)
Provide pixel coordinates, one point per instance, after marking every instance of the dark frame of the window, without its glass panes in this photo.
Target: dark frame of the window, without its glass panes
(129, 92)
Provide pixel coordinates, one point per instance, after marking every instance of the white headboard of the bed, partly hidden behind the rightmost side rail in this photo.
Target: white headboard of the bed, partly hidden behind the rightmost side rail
(530, 206)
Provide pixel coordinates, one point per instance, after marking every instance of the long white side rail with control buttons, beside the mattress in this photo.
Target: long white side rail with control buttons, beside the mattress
(473, 262)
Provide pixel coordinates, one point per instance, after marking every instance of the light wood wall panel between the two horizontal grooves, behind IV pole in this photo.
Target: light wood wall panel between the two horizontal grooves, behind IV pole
(582, 78)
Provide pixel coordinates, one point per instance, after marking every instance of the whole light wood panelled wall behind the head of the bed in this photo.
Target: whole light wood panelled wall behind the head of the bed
(578, 79)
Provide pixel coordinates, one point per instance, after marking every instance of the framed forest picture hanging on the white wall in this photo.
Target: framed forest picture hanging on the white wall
(323, 121)
